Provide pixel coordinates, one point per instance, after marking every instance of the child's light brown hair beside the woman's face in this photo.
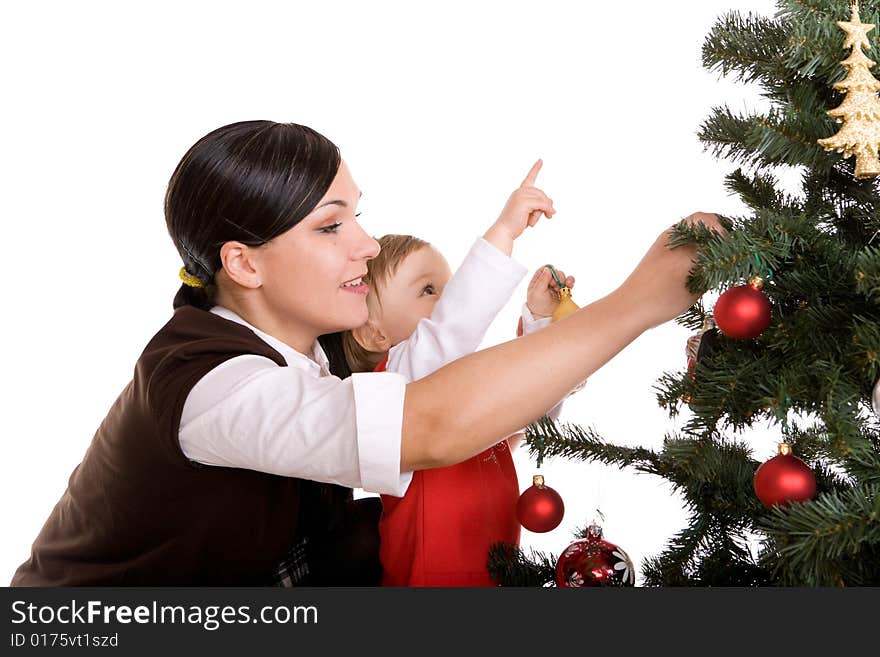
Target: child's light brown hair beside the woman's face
(394, 250)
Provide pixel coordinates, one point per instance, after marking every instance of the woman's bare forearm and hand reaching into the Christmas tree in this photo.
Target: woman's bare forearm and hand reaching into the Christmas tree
(470, 404)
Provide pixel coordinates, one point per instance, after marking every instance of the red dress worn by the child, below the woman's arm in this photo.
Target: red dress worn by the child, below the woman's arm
(440, 531)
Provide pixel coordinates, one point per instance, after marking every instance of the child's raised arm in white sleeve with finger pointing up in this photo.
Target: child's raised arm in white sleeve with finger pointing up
(477, 291)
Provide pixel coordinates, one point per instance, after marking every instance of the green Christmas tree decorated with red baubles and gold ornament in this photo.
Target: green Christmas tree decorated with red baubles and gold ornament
(813, 369)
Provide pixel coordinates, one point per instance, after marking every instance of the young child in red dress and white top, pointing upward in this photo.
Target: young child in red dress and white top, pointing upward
(440, 532)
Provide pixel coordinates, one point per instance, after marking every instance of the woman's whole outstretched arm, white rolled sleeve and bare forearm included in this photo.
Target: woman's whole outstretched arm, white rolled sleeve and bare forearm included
(371, 432)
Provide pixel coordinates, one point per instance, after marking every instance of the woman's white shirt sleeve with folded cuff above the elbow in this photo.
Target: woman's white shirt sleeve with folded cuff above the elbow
(250, 413)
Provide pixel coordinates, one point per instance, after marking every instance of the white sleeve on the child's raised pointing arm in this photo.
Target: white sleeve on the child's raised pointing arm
(472, 298)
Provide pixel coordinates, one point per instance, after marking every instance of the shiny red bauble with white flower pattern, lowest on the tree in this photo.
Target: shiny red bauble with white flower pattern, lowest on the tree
(593, 561)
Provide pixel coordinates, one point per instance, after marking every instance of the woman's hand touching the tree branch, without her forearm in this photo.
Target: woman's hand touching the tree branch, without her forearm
(657, 285)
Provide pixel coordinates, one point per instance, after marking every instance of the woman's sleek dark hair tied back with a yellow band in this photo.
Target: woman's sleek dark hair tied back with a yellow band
(250, 182)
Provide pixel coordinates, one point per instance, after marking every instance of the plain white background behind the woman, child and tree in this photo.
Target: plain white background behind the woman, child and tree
(439, 110)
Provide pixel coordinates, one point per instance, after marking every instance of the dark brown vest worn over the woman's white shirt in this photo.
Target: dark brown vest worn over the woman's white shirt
(138, 512)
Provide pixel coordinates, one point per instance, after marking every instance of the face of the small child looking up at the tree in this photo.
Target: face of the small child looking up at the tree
(410, 294)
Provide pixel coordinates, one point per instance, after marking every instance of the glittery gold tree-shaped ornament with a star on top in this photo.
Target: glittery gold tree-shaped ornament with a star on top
(860, 110)
